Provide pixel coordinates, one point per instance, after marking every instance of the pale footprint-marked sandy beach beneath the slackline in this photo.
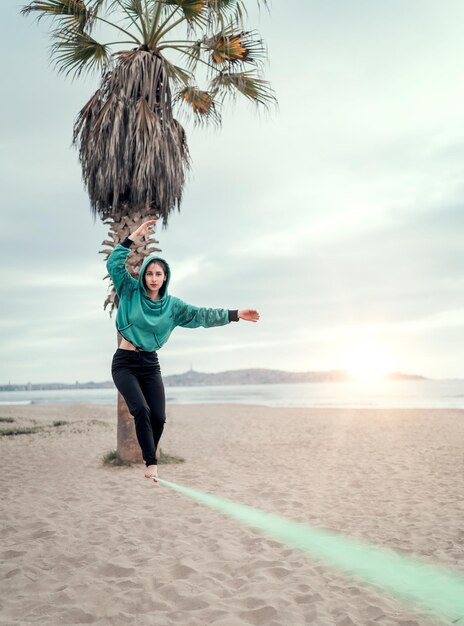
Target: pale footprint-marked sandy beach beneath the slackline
(85, 543)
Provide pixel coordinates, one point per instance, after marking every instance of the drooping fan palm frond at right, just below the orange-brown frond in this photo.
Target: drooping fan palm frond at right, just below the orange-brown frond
(255, 89)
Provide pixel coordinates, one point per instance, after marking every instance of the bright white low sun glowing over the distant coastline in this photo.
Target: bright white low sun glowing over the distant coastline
(367, 358)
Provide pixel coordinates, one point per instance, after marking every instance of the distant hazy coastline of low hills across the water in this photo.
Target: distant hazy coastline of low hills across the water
(193, 378)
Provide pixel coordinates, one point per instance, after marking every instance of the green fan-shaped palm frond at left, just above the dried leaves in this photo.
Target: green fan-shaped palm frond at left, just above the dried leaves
(75, 52)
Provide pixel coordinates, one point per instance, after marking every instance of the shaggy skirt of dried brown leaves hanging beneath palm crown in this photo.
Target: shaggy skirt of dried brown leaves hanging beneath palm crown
(131, 149)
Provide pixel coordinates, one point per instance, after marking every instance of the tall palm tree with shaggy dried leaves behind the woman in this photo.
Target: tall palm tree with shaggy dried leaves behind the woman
(151, 55)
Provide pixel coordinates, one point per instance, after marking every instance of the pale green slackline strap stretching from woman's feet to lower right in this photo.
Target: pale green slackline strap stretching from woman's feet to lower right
(422, 584)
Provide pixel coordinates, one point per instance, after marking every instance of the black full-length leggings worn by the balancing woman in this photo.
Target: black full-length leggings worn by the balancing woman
(137, 377)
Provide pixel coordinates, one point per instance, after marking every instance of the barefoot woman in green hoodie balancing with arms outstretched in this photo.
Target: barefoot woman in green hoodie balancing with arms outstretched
(146, 317)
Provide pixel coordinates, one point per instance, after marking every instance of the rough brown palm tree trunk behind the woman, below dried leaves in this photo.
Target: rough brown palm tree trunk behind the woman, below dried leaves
(119, 227)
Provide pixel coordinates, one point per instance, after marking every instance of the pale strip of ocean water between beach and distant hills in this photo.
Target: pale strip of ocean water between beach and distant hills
(384, 394)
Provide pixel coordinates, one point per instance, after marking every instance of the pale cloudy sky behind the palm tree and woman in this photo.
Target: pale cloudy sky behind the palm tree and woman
(338, 214)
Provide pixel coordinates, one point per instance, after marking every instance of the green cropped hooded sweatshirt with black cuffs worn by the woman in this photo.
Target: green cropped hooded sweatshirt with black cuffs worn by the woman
(148, 323)
